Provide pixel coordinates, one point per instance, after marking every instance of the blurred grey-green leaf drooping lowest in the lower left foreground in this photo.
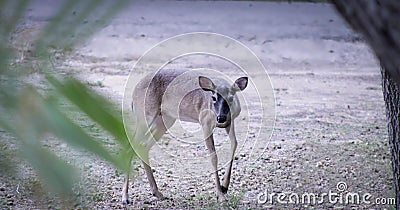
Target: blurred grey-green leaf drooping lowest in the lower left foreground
(29, 126)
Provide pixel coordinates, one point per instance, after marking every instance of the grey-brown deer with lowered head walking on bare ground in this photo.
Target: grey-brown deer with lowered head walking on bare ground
(165, 96)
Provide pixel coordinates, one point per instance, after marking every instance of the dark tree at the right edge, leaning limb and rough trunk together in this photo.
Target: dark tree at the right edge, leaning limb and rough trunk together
(379, 23)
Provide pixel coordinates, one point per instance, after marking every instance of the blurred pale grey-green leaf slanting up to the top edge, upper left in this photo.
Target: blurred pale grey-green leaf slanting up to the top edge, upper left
(75, 22)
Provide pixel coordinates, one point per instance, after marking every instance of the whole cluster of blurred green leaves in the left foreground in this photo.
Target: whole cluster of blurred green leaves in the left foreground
(30, 114)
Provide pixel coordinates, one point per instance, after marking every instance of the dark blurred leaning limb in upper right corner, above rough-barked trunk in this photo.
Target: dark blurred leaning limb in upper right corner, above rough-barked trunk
(378, 21)
